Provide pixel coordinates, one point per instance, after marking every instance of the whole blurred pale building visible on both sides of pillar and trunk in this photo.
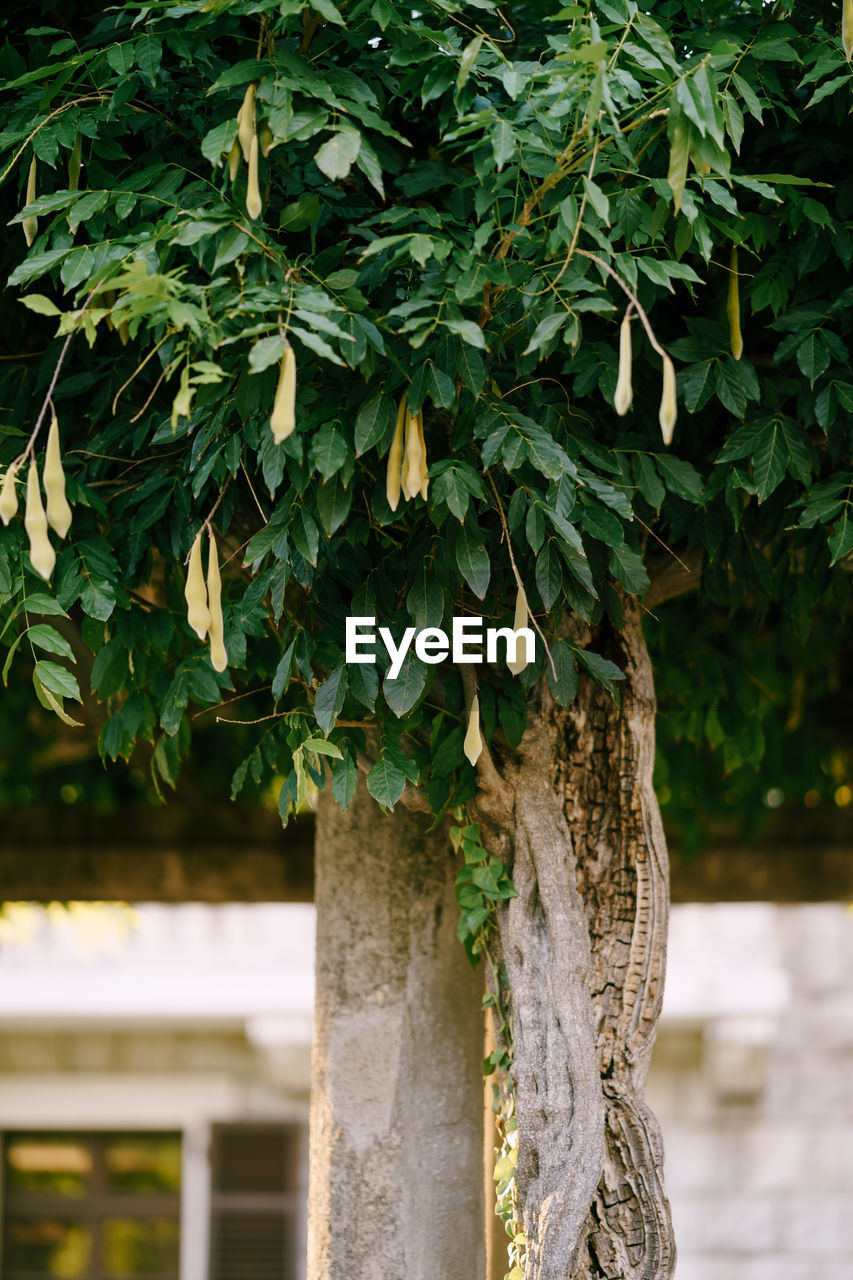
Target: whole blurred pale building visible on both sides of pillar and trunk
(154, 1081)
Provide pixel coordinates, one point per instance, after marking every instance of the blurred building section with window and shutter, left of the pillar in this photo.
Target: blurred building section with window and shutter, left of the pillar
(154, 1084)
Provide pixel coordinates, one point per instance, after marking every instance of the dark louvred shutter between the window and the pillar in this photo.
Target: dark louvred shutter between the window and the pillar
(257, 1203)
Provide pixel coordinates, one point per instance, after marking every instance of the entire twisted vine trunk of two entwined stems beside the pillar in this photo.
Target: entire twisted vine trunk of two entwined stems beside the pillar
(585, 948)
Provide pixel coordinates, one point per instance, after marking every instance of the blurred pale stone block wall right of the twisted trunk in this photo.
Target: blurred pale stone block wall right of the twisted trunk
(754, 1084)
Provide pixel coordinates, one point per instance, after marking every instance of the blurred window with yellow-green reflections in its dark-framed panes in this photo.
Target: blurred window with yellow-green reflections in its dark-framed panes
(92, 1206)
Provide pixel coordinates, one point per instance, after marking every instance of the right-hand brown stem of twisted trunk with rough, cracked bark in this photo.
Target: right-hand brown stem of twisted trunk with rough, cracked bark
(623, 877)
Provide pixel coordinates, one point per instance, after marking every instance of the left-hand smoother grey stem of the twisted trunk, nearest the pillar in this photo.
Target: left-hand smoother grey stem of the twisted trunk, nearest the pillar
(546, 950)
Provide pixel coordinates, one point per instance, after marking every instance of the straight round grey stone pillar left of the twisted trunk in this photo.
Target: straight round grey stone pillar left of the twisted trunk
(396, 1178)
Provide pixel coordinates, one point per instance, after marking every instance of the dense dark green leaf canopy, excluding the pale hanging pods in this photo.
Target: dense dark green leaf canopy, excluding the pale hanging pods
(448, 191)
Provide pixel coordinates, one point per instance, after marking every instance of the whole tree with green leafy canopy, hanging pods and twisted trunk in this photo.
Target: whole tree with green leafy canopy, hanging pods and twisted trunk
(457, 220)
